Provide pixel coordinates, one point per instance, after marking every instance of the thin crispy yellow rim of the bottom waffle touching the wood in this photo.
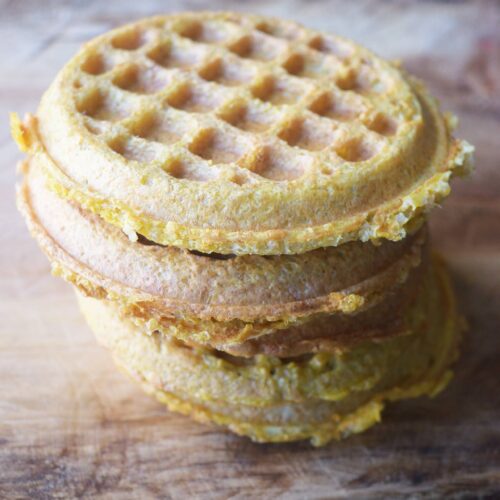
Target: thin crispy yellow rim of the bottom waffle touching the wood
(337, 426)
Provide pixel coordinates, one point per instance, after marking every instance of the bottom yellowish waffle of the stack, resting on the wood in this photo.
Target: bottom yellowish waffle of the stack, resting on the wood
(321, 397)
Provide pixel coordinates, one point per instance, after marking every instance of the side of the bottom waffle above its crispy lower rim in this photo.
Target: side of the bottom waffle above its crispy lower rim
(267, 380)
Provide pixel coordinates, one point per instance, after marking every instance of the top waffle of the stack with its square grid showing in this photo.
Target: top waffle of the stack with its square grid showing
(231, 133)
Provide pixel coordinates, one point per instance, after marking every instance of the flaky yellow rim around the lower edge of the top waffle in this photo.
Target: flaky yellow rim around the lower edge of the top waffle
(391, 220)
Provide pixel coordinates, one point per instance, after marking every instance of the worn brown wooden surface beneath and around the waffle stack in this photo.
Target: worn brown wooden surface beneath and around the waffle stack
(72, 426)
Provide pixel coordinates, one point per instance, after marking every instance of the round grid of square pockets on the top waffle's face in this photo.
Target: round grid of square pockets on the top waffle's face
(236, 98)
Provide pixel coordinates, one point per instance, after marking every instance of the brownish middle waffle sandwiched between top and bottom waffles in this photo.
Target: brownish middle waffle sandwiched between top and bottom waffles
(280, 305)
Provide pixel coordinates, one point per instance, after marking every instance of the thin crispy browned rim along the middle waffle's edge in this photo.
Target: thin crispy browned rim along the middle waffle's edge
(239, 322)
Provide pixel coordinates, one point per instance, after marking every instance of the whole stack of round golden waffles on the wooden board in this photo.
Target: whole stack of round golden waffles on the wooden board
(240, 203)
